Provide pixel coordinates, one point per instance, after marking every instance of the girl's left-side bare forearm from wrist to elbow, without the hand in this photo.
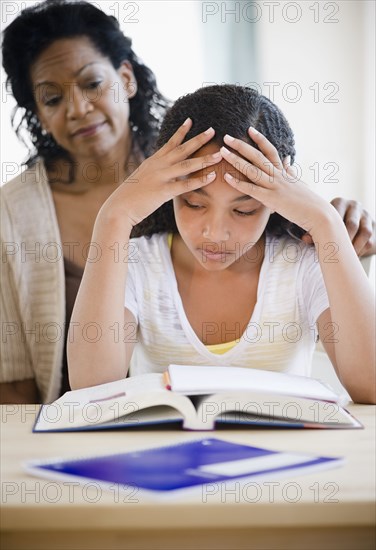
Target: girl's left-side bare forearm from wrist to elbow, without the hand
(96, 350)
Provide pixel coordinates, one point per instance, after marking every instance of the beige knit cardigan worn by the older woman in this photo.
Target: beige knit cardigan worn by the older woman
(32, 284)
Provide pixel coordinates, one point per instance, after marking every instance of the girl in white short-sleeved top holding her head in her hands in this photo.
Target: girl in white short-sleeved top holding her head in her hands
(222, 277)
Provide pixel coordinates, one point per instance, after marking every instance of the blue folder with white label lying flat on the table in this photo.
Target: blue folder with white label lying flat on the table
(181, 465)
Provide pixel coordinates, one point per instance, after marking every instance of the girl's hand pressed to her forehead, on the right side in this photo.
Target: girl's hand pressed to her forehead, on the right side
(272, 182)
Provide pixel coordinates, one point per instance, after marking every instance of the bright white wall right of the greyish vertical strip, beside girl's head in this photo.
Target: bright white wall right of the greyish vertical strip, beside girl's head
(330, 44)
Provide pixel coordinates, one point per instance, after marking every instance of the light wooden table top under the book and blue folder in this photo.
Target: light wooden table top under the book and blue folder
(329, 509)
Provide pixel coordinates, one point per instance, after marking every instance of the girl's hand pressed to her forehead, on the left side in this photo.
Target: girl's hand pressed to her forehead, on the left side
(165, 175)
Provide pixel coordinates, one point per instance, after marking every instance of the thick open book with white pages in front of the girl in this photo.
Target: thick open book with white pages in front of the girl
(200, 398)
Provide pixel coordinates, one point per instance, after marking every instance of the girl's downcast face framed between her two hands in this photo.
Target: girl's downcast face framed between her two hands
(218, 224)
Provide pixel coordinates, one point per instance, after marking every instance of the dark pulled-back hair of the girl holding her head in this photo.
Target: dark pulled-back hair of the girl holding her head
(229, 109)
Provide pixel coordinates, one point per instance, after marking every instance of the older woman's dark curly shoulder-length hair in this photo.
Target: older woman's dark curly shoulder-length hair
(39, 26)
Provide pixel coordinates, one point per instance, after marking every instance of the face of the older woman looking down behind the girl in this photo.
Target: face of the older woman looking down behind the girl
(82, 100)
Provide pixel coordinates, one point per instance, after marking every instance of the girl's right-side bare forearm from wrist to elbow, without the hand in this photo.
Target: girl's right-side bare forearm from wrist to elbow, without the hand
(352, 309)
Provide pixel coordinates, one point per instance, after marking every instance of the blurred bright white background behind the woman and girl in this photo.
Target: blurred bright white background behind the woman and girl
(315, 60)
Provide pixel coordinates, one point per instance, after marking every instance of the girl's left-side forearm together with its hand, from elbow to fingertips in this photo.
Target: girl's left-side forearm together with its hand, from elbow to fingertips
(100, 300)
